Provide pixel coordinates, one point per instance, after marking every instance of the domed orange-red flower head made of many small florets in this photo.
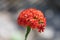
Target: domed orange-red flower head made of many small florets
(33, 18)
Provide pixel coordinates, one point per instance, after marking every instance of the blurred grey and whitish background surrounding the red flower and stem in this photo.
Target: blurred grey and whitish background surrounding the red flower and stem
(10, 30)
